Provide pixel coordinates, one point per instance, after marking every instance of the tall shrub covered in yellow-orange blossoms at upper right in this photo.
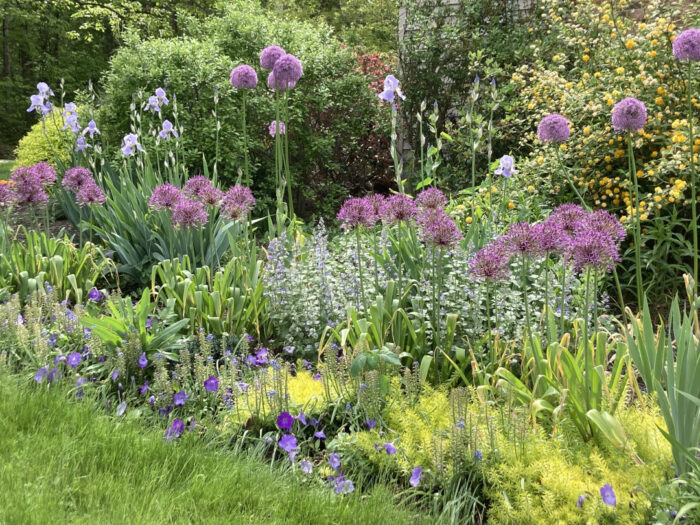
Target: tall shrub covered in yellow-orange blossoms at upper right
(592, 55)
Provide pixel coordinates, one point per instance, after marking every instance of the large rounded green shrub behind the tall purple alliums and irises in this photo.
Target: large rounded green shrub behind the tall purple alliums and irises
(331, 107)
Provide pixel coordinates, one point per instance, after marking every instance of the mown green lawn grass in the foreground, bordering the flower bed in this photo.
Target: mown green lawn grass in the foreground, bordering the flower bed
(64, 462)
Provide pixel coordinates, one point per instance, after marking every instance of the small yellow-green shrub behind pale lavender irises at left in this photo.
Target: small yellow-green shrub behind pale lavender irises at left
(39, 146)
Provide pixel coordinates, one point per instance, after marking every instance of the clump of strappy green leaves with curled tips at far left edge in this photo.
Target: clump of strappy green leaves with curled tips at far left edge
(38, 262)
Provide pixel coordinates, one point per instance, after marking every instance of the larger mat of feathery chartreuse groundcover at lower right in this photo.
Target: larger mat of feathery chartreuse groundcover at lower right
(530, 476)
